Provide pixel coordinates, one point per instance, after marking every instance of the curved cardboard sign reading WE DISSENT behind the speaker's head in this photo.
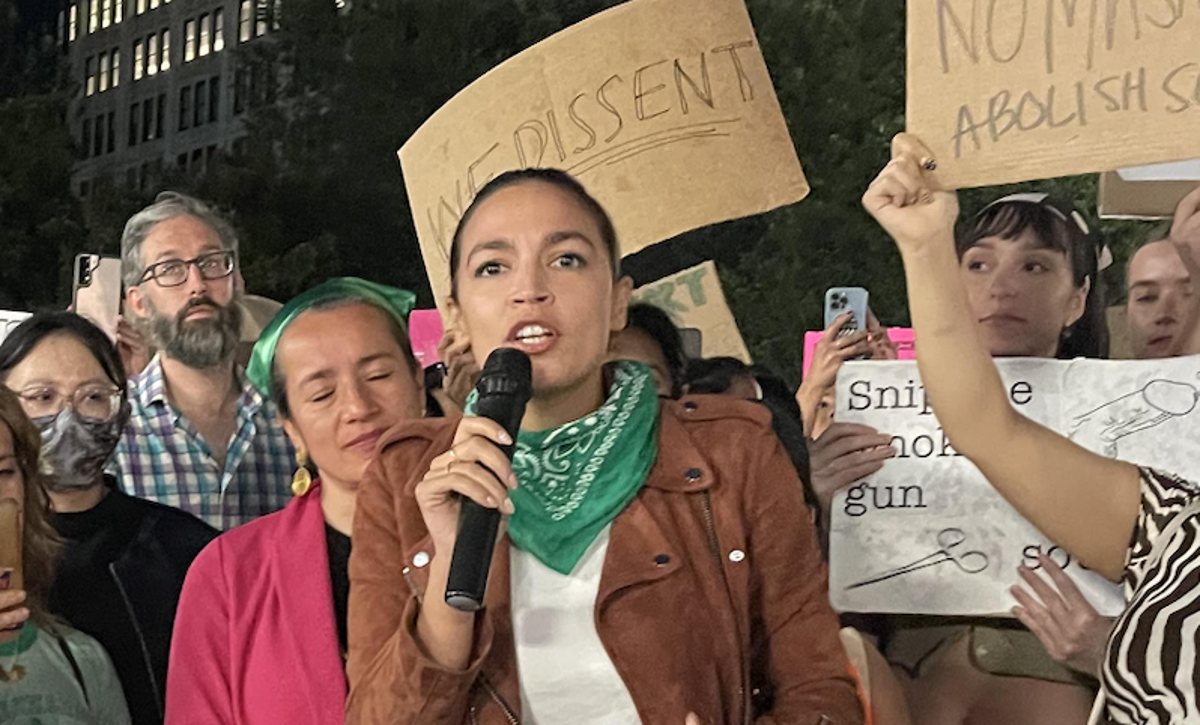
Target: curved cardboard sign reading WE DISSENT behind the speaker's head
(663, 109)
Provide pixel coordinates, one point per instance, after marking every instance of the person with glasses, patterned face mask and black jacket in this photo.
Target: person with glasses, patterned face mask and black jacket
(125, 559)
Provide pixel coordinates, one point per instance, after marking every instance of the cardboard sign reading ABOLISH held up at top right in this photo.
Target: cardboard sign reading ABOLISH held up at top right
(1013, 91)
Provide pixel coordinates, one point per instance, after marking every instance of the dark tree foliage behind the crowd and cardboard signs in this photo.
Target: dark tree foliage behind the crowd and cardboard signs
(316, 187)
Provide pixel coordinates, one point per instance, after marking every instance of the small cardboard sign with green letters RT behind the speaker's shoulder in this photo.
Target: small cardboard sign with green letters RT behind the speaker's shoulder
(694, 299)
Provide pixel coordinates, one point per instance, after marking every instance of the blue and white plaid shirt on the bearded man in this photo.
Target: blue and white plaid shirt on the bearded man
(163, 457)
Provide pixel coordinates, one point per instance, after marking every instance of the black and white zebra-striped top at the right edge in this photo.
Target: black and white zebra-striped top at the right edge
(1150, 673)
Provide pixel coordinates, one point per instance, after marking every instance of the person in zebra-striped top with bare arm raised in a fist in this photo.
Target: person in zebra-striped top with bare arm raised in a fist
(1125, 523)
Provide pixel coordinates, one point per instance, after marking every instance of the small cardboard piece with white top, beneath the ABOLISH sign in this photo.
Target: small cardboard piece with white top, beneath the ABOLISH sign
(1148, 193)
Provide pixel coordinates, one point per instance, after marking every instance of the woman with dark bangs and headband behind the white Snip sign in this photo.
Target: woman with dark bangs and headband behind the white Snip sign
(1030, 267)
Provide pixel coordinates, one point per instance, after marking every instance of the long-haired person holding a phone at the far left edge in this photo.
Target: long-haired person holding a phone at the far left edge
(49, 672)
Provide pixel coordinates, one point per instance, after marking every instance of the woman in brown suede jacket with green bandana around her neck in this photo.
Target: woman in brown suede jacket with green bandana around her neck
(658, 564)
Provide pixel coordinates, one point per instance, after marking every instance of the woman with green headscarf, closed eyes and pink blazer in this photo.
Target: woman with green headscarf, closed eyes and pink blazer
(261, 630)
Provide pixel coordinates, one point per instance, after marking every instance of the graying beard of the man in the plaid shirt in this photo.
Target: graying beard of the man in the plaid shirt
(199, 344)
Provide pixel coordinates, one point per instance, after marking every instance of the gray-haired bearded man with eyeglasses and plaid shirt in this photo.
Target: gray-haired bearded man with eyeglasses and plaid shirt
(201, 438)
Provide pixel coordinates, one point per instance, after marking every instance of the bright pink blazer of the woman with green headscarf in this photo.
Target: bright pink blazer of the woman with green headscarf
(256, 642)
